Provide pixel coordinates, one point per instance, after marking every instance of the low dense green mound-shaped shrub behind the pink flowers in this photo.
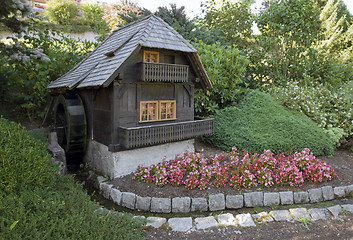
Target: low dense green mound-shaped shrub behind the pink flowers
(259, 122)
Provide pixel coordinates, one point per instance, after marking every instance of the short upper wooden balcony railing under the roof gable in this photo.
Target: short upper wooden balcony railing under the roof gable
(163, 72)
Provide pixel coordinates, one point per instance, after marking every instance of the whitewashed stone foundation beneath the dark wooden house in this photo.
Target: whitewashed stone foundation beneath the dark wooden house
(119, 164)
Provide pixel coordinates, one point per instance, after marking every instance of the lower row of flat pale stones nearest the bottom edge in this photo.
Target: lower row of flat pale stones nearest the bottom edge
(188, 224)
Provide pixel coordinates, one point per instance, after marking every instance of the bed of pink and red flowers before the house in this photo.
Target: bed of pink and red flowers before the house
(243, 170)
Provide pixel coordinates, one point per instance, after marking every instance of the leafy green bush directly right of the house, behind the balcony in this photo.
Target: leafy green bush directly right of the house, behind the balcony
(224, 66)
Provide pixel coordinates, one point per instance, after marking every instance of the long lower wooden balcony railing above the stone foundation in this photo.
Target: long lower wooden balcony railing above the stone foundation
(135, 137)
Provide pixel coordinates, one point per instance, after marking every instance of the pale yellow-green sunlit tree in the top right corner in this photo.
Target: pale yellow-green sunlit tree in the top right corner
(335, 49)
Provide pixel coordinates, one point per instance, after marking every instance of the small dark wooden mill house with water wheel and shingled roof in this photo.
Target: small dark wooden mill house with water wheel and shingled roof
(131, 100)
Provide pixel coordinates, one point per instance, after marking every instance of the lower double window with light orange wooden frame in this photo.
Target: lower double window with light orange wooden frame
(157, 110)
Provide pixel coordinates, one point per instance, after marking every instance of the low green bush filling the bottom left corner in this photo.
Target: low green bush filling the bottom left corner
(37, 203)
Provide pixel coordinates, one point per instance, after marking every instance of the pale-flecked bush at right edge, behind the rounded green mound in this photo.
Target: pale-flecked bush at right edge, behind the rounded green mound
(330, 109)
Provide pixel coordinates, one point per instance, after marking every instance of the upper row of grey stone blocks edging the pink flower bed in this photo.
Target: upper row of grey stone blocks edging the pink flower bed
(218, 202)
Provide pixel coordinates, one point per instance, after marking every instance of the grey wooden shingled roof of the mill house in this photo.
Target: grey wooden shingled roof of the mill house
(101, 66)
